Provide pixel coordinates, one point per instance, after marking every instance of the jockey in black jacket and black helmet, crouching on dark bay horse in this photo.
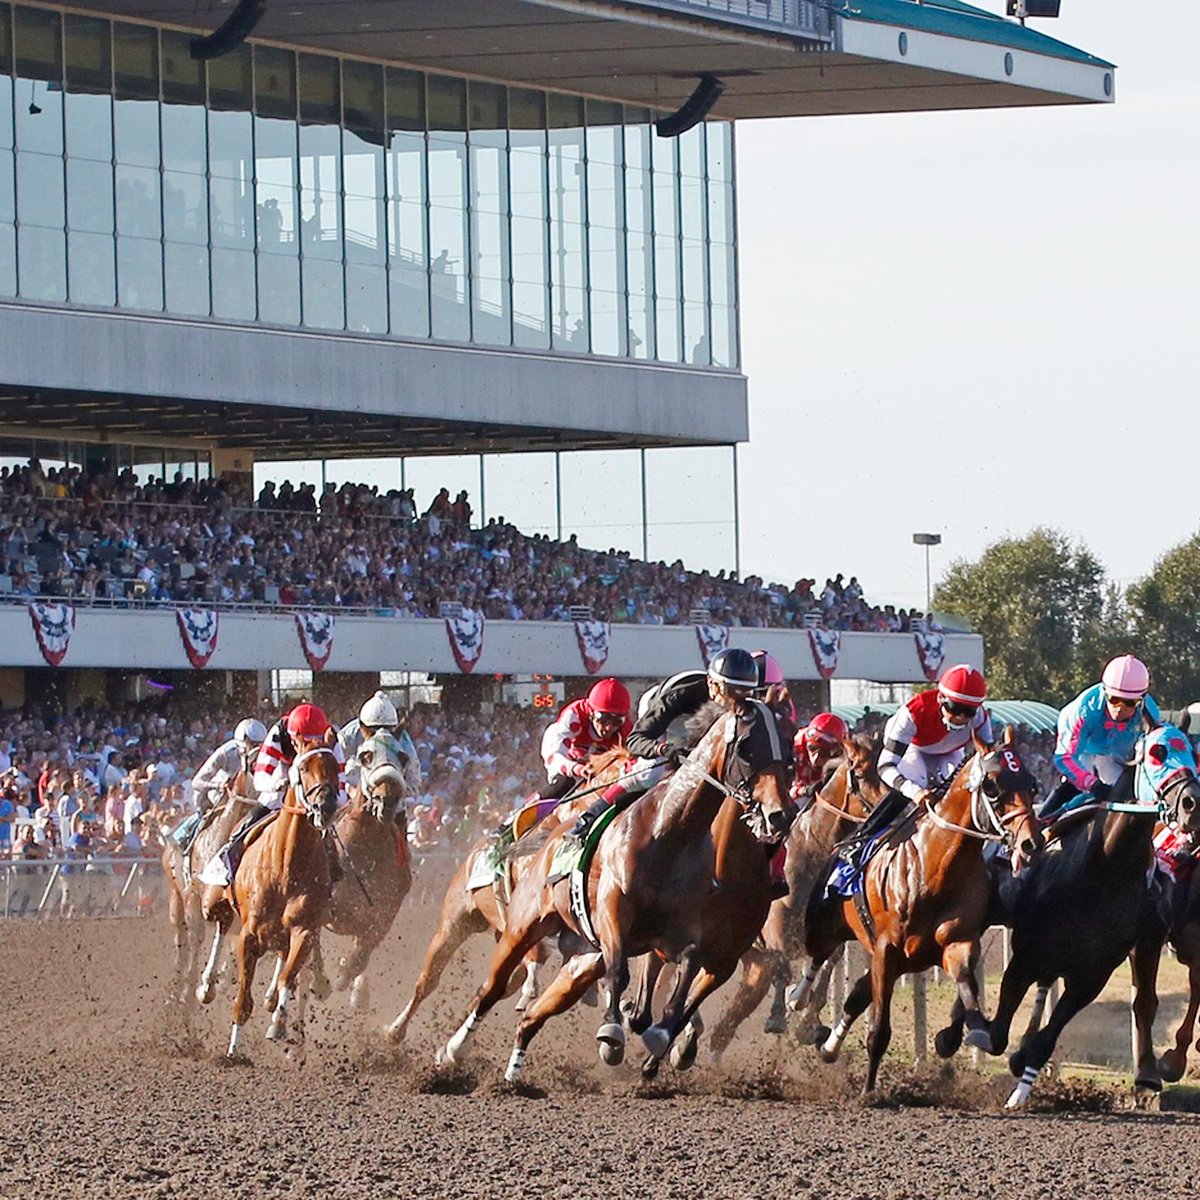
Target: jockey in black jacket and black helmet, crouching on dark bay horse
(661, 739)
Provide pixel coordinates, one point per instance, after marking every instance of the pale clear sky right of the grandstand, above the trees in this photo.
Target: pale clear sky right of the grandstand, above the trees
(973, 323)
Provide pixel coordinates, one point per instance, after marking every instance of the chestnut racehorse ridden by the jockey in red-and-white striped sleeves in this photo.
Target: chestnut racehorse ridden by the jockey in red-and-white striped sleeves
(281, 890)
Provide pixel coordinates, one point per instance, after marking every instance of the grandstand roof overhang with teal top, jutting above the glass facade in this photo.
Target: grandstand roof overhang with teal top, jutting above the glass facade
(795, 59)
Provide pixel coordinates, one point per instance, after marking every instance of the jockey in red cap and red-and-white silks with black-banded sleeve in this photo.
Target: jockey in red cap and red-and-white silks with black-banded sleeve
(923, 743)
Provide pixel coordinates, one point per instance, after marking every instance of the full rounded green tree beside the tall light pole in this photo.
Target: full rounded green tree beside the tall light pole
(1046, 614)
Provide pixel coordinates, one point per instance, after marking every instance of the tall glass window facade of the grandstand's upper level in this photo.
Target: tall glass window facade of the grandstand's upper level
(304, 190)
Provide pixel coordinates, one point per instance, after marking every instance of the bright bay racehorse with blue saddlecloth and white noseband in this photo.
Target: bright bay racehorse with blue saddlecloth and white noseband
(925, 898)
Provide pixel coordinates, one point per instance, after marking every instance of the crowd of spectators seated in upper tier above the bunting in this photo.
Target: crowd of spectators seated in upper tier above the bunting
(111, 538)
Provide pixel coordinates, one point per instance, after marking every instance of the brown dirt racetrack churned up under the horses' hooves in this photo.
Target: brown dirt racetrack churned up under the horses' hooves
(107, 1093)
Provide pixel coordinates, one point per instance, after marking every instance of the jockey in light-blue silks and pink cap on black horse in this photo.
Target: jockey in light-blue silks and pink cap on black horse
(1099, 731)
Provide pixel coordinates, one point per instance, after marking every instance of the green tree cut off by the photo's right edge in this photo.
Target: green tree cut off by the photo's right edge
(1165, 611)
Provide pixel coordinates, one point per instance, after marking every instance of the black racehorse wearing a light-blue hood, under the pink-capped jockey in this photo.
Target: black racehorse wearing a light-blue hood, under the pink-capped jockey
(1078, 913)
